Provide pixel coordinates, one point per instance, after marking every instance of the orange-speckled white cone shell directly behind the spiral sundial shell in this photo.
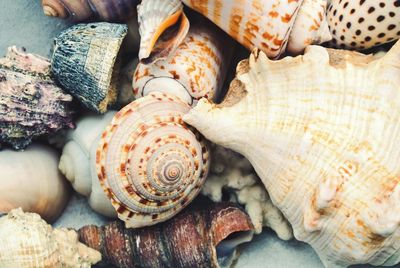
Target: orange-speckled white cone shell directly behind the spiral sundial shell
(197, 68)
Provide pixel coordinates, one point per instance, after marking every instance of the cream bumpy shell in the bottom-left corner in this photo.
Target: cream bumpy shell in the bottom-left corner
(27, 241)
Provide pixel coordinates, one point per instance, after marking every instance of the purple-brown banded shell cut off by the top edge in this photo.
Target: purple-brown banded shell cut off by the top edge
(93, 10)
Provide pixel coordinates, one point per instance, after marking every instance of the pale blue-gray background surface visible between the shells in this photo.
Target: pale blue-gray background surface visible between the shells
(23, 24)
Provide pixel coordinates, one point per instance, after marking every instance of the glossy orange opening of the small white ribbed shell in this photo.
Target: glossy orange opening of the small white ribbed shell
(167, 38)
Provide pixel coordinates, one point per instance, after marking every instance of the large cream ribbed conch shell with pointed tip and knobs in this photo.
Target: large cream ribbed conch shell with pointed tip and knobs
(322, 132)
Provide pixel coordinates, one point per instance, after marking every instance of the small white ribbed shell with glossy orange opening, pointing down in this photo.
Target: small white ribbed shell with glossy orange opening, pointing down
(155, 17)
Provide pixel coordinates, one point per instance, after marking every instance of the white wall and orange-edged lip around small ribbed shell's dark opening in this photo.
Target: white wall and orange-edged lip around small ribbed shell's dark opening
(154, 17)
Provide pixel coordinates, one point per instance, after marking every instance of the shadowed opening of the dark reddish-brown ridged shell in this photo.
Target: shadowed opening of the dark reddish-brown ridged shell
(226, 249)
